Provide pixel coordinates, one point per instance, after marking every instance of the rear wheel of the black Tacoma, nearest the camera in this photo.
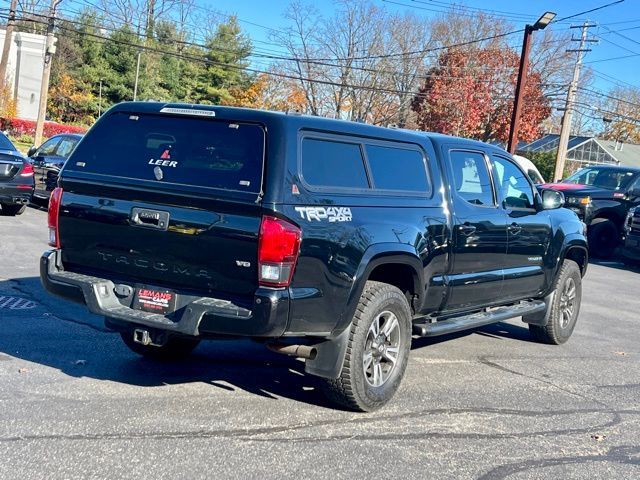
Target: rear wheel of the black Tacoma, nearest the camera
(356, 388)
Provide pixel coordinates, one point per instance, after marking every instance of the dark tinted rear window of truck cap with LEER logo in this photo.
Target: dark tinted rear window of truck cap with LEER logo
(177, 150)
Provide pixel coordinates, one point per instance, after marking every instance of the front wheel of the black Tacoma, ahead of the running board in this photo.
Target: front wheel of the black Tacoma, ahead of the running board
(562, 321)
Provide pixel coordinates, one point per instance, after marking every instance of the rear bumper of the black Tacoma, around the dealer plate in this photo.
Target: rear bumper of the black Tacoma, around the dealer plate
(195, 316)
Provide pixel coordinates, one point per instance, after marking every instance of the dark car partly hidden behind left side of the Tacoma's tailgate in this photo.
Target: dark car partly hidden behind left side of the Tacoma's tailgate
(48, 159)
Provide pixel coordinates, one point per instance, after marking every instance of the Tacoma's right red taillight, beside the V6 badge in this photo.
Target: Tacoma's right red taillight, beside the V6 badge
(278, 248)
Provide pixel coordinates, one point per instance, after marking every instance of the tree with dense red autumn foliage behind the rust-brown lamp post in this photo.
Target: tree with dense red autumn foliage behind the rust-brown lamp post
(470, 94)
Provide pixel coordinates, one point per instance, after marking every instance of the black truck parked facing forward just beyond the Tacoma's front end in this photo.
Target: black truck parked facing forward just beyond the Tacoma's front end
(601, 196)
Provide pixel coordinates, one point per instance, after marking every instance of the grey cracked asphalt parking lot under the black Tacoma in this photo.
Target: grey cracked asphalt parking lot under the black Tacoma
(76, 403)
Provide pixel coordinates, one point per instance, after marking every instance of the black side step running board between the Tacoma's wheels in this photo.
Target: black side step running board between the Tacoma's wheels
(451, 325)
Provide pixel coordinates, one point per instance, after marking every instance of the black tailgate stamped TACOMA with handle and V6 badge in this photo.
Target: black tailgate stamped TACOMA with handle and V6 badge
(203, 245)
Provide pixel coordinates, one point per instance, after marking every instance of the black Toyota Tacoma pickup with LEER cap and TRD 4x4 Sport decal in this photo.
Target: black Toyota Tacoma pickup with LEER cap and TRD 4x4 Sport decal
(331, 241)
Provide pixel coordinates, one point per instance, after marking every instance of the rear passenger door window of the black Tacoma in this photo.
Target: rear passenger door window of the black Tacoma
(472, 182)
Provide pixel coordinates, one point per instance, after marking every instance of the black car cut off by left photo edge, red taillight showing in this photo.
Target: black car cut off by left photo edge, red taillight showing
(16, 179)
